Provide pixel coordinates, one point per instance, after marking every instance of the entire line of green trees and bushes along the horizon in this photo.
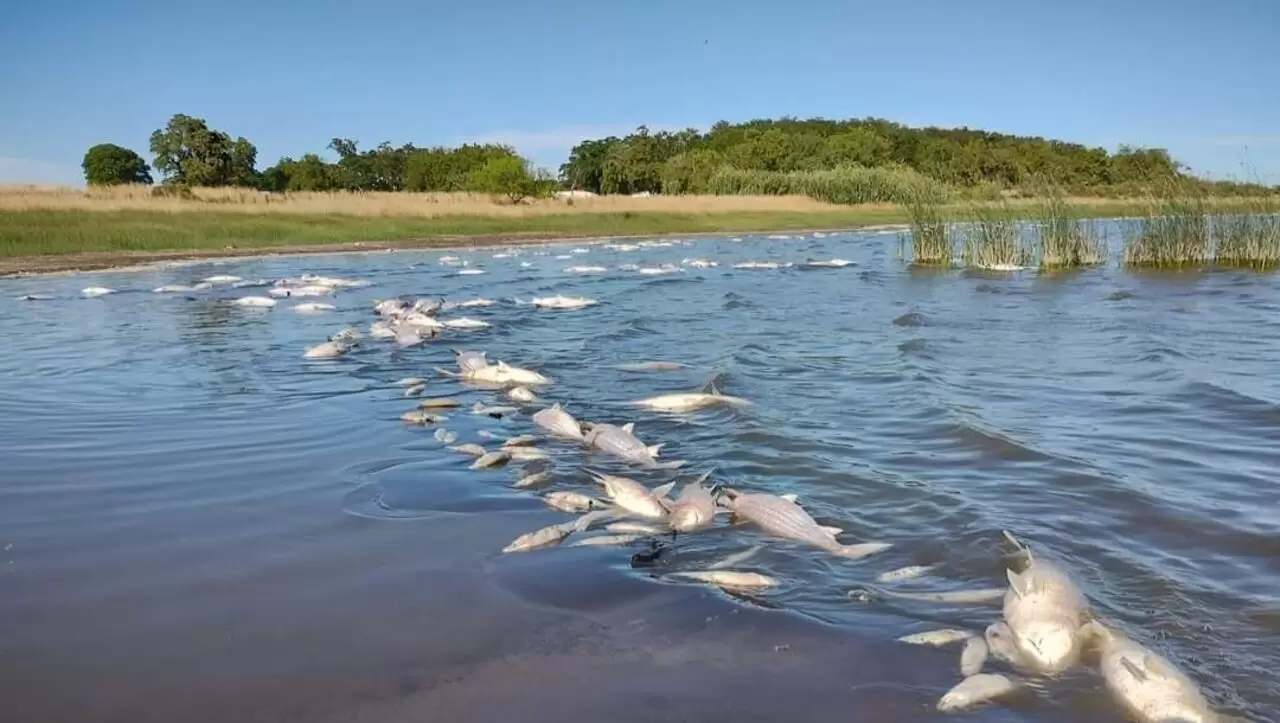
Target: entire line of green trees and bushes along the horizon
(766, 155)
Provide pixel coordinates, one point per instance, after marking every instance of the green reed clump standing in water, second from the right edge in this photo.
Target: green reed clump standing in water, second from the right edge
(1173, 232)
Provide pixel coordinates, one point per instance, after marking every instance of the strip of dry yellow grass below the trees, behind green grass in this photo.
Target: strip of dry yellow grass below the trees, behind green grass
(380, 204)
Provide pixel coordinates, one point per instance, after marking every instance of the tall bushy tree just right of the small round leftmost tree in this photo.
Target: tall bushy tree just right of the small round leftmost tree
(191, 154)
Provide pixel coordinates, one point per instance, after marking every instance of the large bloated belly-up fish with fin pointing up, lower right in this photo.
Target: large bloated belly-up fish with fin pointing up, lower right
(1045, 611)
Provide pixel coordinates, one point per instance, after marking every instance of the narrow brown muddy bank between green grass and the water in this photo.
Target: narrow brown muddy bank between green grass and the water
(79, 263)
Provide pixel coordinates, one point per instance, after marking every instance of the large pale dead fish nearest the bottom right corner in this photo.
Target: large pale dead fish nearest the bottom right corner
(1150, 688)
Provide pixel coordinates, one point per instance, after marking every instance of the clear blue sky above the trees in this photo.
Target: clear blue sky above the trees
(1199, 79)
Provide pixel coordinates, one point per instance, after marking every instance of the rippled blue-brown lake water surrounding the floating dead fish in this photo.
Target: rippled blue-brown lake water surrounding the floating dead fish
(199, 524)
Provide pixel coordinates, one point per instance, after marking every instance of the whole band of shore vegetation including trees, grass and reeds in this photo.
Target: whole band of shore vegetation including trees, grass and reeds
(1023, 199)
